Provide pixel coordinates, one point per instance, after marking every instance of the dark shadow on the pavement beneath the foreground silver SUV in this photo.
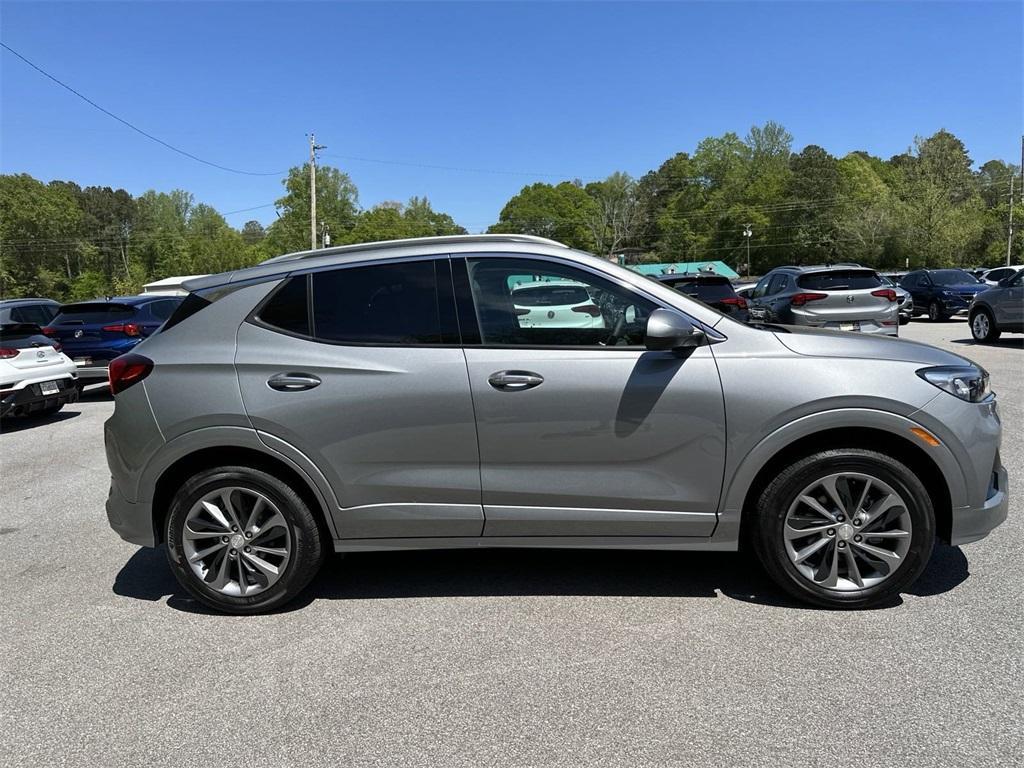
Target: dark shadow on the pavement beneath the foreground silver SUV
(509, 573)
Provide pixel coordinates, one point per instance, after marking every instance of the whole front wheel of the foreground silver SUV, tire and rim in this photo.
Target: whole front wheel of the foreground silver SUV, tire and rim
(845, 528)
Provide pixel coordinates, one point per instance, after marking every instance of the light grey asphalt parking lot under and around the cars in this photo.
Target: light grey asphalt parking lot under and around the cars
(501, 658)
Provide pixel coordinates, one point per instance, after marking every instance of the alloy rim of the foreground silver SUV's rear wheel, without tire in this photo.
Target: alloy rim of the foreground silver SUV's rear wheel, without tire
(237, 542)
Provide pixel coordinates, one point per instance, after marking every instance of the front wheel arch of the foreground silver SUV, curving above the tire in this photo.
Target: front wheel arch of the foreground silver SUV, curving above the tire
(936, 466)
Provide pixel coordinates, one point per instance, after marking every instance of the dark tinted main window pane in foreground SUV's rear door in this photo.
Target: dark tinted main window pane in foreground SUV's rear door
(378, 305)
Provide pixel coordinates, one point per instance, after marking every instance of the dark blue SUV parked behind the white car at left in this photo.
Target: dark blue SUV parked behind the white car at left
(94, 333)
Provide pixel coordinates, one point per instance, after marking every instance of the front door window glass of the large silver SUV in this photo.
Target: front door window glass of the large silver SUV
(527, 303)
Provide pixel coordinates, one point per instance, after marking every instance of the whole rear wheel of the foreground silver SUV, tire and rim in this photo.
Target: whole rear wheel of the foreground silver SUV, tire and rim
(242, 541)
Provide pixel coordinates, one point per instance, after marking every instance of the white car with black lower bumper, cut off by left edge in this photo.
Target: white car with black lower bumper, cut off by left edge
(36, 378)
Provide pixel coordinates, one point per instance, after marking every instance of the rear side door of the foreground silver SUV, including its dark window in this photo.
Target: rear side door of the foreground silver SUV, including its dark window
(360, 369)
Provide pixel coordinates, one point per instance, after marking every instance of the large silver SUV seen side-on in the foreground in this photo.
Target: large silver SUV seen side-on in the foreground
(391, 397)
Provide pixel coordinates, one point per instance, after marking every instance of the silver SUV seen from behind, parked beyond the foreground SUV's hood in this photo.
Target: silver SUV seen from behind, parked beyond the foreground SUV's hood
(842, 297)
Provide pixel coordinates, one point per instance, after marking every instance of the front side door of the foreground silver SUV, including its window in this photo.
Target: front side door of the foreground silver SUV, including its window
(583, 432)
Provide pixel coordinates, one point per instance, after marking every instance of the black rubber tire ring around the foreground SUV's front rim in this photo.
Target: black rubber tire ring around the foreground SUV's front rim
(769, 537)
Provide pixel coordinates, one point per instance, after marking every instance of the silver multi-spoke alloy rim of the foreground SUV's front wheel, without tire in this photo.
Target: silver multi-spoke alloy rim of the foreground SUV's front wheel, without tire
(848, 532)
